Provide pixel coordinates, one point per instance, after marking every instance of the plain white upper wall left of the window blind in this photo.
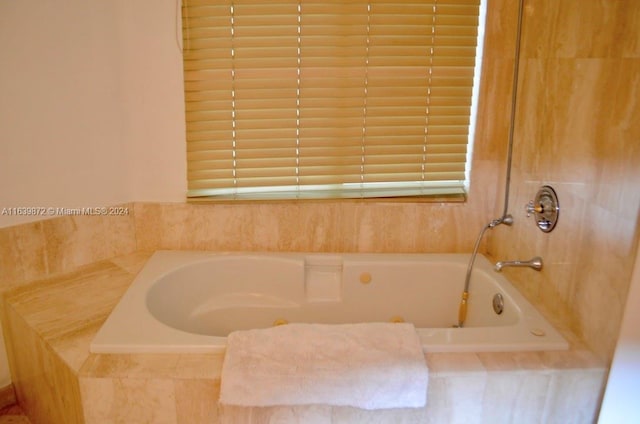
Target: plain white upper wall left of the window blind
(91, 111)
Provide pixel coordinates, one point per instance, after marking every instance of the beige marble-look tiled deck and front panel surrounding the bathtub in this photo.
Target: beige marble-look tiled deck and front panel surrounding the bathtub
(51, 322)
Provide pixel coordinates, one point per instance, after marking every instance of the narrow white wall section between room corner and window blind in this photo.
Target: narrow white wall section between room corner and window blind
(153, 99)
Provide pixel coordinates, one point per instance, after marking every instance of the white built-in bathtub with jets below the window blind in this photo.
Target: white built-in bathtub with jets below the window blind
(188, 302)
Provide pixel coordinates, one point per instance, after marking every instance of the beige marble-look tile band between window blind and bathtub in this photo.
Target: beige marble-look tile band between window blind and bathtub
(358, 226)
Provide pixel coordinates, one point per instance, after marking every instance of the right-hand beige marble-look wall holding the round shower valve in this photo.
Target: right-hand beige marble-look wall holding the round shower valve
(578, 130)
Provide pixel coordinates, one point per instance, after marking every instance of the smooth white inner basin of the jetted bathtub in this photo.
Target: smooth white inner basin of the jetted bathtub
(243, 292)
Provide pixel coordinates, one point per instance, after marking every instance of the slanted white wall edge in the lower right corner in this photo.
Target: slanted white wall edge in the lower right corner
(622, 396)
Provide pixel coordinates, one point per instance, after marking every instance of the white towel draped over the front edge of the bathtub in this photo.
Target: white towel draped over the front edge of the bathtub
(368, 366)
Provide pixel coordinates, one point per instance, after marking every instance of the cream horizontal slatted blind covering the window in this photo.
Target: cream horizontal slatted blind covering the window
(327, 98)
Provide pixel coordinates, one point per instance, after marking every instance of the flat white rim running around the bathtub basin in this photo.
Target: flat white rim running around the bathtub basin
(163, 262)
